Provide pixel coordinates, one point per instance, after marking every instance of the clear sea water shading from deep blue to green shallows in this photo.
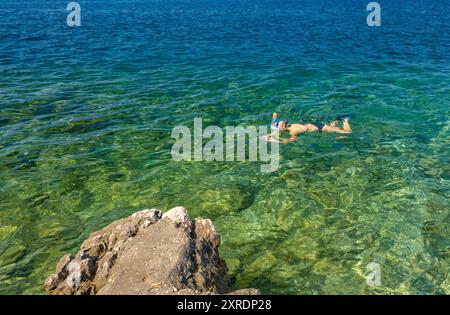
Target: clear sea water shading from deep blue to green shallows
(86, 116)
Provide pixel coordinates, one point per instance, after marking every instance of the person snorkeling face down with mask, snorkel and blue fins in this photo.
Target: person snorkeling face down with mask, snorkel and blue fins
(278, 127)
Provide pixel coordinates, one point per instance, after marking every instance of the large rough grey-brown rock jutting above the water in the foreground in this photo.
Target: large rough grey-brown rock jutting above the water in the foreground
(146, 253)
